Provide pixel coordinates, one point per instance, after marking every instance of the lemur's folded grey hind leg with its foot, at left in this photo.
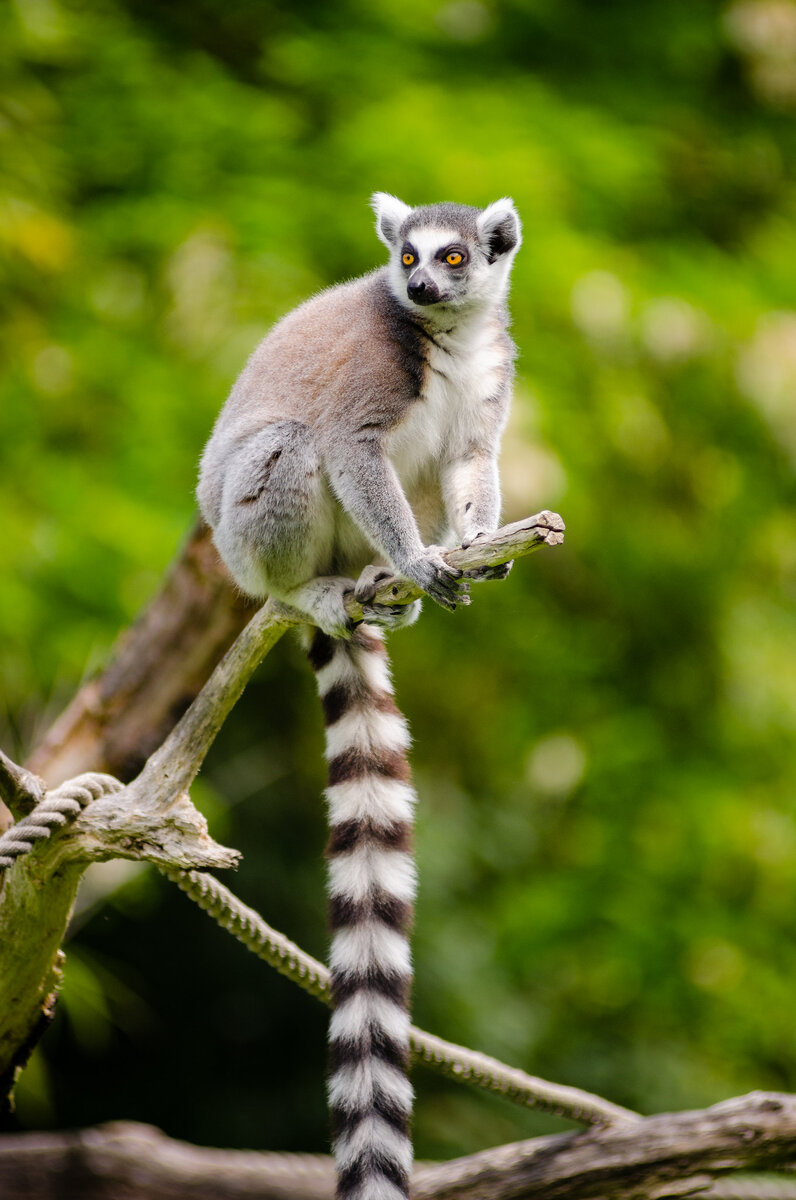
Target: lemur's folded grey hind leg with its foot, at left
(277, 526)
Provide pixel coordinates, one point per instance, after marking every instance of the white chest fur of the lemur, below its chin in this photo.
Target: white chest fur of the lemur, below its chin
(464, 369)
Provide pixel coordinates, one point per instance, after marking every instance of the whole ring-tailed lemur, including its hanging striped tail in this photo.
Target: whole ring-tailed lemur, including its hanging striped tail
(361, 439)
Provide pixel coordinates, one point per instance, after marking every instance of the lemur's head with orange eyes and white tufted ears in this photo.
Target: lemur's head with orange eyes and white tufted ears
(448, 257)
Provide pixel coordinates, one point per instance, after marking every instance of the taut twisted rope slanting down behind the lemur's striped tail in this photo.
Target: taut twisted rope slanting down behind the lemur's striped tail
(457, 1063)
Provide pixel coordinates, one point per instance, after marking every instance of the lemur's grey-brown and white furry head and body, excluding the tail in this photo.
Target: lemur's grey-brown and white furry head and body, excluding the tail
(367, 425)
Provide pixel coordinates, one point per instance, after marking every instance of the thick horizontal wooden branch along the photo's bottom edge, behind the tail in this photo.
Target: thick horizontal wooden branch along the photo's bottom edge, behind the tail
(669, 1155)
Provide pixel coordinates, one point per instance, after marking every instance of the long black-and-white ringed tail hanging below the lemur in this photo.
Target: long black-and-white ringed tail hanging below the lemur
(372, 892)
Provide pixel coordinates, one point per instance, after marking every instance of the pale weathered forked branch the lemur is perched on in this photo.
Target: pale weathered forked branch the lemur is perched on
(151, 819)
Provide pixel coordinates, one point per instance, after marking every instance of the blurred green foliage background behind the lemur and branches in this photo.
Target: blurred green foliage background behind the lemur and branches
(605, 746)
